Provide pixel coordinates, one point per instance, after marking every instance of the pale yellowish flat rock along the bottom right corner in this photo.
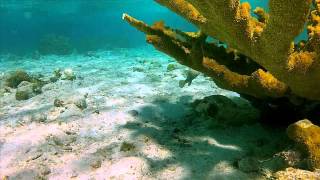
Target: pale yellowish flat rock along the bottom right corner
(292, 173)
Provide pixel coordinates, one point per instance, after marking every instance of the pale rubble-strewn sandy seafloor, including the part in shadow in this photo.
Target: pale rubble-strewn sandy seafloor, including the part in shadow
(86, 144)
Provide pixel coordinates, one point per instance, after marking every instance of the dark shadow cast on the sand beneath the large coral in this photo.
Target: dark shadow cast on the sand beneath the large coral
(203, 151)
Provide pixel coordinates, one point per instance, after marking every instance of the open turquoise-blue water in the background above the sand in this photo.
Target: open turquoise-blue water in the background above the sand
(90, 24)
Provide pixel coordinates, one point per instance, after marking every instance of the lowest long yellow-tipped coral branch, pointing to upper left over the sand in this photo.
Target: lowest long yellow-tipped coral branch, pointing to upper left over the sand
(194, 53)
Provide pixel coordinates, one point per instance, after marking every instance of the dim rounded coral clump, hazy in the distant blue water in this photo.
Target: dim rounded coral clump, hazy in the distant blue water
(55, 44)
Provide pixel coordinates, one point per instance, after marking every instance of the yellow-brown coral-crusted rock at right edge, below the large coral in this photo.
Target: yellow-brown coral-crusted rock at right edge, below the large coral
(307, 135)
